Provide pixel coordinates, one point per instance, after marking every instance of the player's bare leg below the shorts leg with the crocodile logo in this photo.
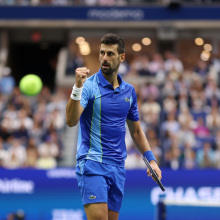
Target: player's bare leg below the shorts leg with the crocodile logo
(96, 211)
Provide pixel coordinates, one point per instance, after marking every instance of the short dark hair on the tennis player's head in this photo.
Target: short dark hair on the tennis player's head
(111, 38)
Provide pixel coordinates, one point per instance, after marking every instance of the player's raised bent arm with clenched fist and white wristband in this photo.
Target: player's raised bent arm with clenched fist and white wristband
(73, 107)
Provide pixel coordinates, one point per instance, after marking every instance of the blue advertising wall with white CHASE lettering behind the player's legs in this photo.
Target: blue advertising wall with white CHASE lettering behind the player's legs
(53, 194)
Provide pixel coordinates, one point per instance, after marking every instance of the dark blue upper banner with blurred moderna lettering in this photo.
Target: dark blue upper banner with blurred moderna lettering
(109, 13)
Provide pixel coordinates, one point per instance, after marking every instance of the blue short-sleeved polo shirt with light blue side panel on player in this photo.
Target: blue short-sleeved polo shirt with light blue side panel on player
(102, 124)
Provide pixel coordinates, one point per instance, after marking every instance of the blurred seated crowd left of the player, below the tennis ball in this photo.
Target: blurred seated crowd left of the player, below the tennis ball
(31, 128)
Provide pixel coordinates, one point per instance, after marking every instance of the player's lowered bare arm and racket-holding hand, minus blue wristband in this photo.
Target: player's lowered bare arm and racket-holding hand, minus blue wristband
(141, 143)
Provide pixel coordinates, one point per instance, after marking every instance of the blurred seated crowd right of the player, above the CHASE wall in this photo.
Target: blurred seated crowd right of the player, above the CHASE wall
(179, 111)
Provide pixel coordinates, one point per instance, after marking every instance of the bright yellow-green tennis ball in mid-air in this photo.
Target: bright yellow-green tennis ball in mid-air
(30, 85)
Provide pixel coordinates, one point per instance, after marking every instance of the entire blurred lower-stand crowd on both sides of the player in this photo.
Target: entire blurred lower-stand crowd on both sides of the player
(178, 106)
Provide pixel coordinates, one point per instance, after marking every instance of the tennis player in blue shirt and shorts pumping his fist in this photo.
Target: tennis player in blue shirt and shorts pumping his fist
(103, 103)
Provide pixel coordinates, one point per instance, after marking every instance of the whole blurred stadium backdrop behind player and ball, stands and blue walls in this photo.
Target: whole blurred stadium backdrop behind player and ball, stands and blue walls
(172, 59)
